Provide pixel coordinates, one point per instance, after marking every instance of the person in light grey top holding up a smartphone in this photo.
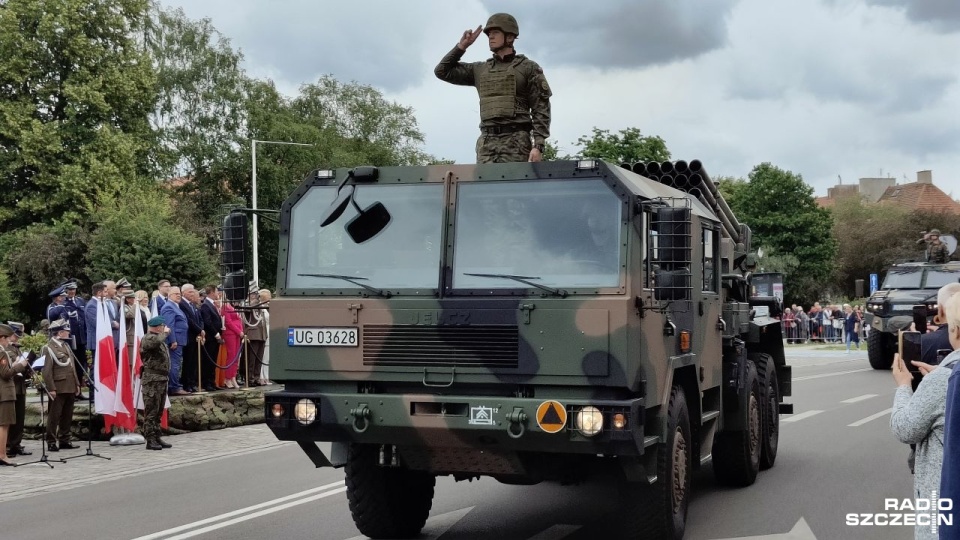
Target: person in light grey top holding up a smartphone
(918, 417)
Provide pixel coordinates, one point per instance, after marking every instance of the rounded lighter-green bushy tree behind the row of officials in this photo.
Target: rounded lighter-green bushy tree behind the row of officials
(137, 236)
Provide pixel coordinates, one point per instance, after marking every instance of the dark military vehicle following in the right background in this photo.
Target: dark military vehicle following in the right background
(889, 309)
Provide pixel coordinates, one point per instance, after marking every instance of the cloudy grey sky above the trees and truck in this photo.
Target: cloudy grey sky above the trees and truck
(825, 88)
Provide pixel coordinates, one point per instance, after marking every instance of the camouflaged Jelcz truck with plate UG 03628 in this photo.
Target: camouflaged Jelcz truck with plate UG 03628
(563, 321)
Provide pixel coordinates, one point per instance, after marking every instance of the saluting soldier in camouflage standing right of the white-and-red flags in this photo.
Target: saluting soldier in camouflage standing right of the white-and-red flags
(155, 374)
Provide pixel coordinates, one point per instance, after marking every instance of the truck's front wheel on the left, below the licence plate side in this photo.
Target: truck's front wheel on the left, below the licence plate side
(386, 502)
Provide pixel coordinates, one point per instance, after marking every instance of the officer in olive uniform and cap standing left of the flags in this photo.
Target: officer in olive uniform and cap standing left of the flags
(60, 378)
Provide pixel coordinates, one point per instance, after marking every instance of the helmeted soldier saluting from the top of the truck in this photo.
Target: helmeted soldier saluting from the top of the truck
(514, 94)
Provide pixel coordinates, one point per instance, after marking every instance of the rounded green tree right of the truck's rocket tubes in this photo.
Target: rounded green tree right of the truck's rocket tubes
(784, 216)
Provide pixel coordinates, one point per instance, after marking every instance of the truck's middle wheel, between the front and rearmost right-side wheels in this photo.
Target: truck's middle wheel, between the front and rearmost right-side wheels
(736, 454)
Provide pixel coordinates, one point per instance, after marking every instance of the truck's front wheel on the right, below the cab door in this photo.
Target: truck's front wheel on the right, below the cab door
(660, 510)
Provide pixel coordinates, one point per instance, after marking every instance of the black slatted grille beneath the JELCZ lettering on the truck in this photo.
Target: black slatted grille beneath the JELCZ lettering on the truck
(470, 346)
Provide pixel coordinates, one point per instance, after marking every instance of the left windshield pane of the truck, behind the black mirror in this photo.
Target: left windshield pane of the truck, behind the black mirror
(405, 255)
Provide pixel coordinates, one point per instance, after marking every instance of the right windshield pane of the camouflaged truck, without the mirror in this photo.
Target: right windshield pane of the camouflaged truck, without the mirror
(564, 233)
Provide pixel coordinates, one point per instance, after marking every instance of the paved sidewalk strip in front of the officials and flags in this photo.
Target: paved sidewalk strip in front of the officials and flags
(125, 461)
